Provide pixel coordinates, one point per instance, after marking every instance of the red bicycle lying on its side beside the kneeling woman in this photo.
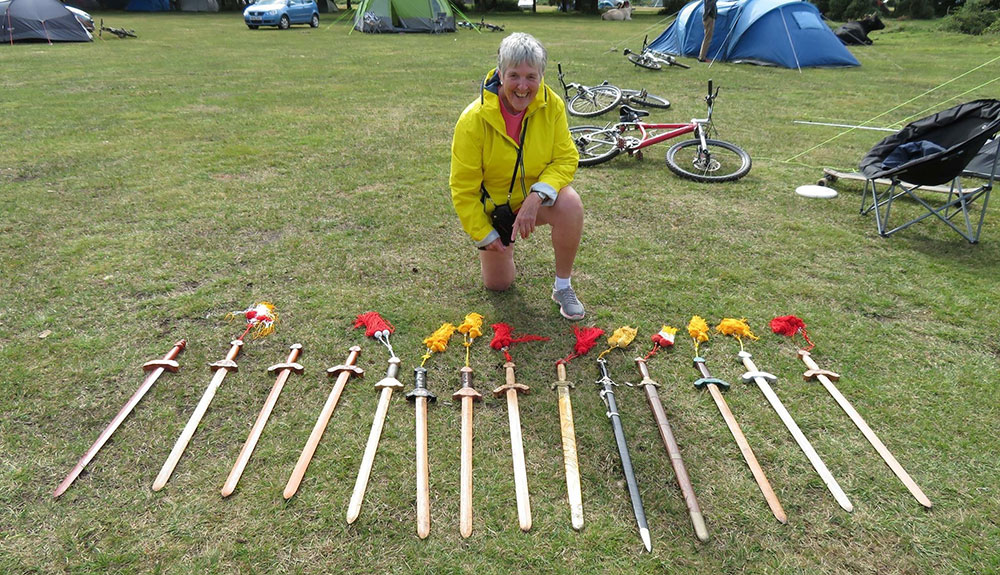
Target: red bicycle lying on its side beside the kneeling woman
(702, 159)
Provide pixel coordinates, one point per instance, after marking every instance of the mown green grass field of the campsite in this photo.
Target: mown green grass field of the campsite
(150, 186)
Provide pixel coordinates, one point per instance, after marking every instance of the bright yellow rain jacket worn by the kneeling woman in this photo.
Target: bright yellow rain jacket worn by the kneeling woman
(483, 156)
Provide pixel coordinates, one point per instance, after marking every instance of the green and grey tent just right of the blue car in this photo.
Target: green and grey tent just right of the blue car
(404, 16)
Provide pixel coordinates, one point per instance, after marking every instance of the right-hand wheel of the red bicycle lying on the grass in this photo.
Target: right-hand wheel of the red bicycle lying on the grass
(719, 162)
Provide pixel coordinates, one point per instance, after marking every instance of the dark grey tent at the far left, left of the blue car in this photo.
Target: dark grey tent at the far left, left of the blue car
(46, 20)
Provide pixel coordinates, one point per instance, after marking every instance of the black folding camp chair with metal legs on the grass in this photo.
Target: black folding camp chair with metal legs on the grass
(929, 152)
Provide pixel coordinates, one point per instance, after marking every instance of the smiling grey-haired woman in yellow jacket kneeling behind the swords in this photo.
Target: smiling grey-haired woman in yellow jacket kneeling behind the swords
(512, 162)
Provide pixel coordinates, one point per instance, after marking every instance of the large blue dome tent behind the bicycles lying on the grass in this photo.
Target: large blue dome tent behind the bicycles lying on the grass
(789, 33)
